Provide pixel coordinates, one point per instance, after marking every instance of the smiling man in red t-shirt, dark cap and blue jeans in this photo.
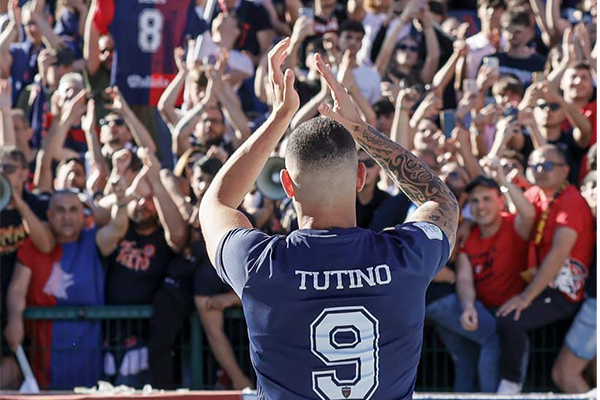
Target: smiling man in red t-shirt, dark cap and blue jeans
(488, 269)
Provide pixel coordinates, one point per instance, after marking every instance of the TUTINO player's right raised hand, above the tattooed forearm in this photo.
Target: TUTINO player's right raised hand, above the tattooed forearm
(343, 110)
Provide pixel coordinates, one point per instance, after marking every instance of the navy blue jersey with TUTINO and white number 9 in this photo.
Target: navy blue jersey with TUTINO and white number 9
(335, 314)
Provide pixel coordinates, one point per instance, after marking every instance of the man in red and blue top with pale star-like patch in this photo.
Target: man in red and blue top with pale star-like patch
(70, 274)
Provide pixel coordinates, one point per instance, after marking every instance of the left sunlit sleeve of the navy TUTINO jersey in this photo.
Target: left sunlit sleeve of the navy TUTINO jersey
(238, 251)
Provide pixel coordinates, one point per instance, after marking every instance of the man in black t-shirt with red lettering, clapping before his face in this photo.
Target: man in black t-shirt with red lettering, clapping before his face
(137, 264)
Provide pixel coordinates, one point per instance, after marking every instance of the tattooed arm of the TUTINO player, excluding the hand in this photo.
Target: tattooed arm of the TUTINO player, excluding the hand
(437, 204)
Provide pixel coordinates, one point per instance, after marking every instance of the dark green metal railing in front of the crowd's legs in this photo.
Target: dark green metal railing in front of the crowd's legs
(197, 367)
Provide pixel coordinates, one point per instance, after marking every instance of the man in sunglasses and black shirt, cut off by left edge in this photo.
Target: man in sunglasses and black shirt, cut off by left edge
(21, 218)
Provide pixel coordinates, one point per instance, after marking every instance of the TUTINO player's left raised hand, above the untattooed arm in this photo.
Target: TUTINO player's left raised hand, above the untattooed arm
(285, 96)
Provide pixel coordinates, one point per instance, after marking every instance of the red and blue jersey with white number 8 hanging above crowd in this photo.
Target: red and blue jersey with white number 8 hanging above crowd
(145, 33)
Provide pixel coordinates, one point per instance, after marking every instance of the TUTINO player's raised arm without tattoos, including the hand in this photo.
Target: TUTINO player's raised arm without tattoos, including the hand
(218, 210)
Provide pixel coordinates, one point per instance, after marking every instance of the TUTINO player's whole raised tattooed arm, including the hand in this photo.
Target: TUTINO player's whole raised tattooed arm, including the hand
(437, 204)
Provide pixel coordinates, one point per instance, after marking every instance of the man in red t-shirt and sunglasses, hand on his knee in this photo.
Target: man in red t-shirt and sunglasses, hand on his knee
(560, 253)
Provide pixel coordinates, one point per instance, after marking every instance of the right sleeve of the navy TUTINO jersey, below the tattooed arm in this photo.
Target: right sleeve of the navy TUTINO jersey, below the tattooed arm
(425, 249)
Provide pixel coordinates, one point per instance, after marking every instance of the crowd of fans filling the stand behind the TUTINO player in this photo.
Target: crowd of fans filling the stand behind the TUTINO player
(116, 115)
